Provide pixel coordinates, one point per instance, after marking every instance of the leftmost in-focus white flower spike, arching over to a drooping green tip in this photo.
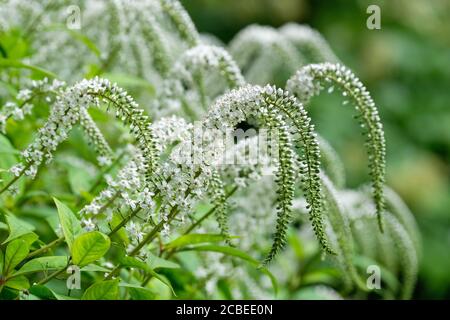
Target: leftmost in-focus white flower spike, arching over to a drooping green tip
(66, 112)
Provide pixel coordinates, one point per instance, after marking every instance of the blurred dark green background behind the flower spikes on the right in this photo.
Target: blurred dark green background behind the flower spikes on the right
(406, 67)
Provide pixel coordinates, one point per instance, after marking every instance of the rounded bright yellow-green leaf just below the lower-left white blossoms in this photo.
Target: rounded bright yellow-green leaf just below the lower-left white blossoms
(89, 247)
